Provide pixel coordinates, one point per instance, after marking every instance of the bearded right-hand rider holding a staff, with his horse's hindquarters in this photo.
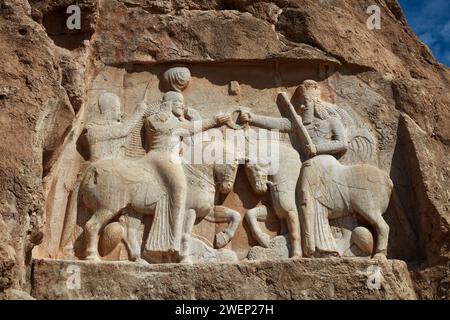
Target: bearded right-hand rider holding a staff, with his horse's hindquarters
(327, 189)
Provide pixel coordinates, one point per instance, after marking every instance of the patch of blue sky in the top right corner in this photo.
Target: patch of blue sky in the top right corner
(430, 20)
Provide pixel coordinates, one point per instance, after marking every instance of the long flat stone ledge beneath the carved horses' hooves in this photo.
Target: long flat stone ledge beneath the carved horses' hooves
(330, 278)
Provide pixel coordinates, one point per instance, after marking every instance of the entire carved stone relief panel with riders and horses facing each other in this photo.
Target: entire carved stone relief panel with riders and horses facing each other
(147, 192)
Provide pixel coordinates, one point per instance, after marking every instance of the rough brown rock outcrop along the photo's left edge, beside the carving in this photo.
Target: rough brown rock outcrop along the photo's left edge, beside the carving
(35, 115)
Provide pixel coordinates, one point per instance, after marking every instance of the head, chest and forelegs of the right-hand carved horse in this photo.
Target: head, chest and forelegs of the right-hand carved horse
(282, 185)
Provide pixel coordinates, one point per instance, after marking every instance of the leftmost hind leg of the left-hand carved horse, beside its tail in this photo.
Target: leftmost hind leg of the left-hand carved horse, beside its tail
(92, 229)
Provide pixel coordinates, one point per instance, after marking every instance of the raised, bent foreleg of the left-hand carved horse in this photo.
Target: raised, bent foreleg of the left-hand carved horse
(224, 214)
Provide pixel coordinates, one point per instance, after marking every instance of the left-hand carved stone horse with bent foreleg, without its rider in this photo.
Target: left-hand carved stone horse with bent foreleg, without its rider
(112, 187)
